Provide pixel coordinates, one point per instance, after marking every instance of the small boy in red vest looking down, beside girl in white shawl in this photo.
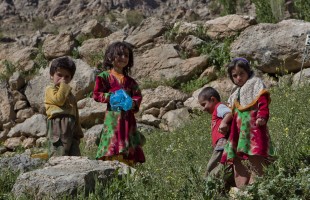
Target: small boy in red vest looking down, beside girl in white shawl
(210, 100)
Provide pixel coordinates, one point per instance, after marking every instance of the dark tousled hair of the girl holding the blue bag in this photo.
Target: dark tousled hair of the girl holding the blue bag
(117, 49)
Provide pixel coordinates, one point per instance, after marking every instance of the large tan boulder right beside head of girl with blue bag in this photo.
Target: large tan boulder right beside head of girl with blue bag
(169, 67)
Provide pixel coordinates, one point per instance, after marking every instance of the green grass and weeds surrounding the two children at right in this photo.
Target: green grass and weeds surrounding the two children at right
(176, 161)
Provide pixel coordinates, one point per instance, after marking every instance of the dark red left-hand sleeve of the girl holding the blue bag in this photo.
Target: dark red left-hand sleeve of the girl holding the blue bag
(101, 90)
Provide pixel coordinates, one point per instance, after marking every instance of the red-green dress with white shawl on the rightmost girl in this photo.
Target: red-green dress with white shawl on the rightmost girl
(248, 103)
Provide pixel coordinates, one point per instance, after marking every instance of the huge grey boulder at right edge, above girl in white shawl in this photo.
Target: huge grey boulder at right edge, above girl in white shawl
(274, 48)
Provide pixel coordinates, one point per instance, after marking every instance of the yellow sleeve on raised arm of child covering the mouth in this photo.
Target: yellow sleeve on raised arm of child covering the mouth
(56, 96)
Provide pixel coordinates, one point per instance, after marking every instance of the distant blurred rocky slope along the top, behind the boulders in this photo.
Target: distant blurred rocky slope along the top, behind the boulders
(19, 17)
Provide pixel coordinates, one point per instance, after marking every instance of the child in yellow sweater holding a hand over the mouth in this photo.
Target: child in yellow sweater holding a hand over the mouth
(63, 126)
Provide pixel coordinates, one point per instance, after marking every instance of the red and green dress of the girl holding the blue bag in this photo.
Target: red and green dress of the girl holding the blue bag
(119, 138)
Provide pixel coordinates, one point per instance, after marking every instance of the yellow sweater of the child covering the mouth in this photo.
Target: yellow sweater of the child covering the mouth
(59, 100)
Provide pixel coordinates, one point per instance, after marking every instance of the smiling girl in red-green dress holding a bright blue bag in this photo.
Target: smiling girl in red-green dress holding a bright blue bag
(119, 139)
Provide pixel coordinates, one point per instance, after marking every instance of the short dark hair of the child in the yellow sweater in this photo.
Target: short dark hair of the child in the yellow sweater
(63, 62)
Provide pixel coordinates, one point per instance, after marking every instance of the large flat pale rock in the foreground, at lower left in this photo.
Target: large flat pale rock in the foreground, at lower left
(64, 176)
